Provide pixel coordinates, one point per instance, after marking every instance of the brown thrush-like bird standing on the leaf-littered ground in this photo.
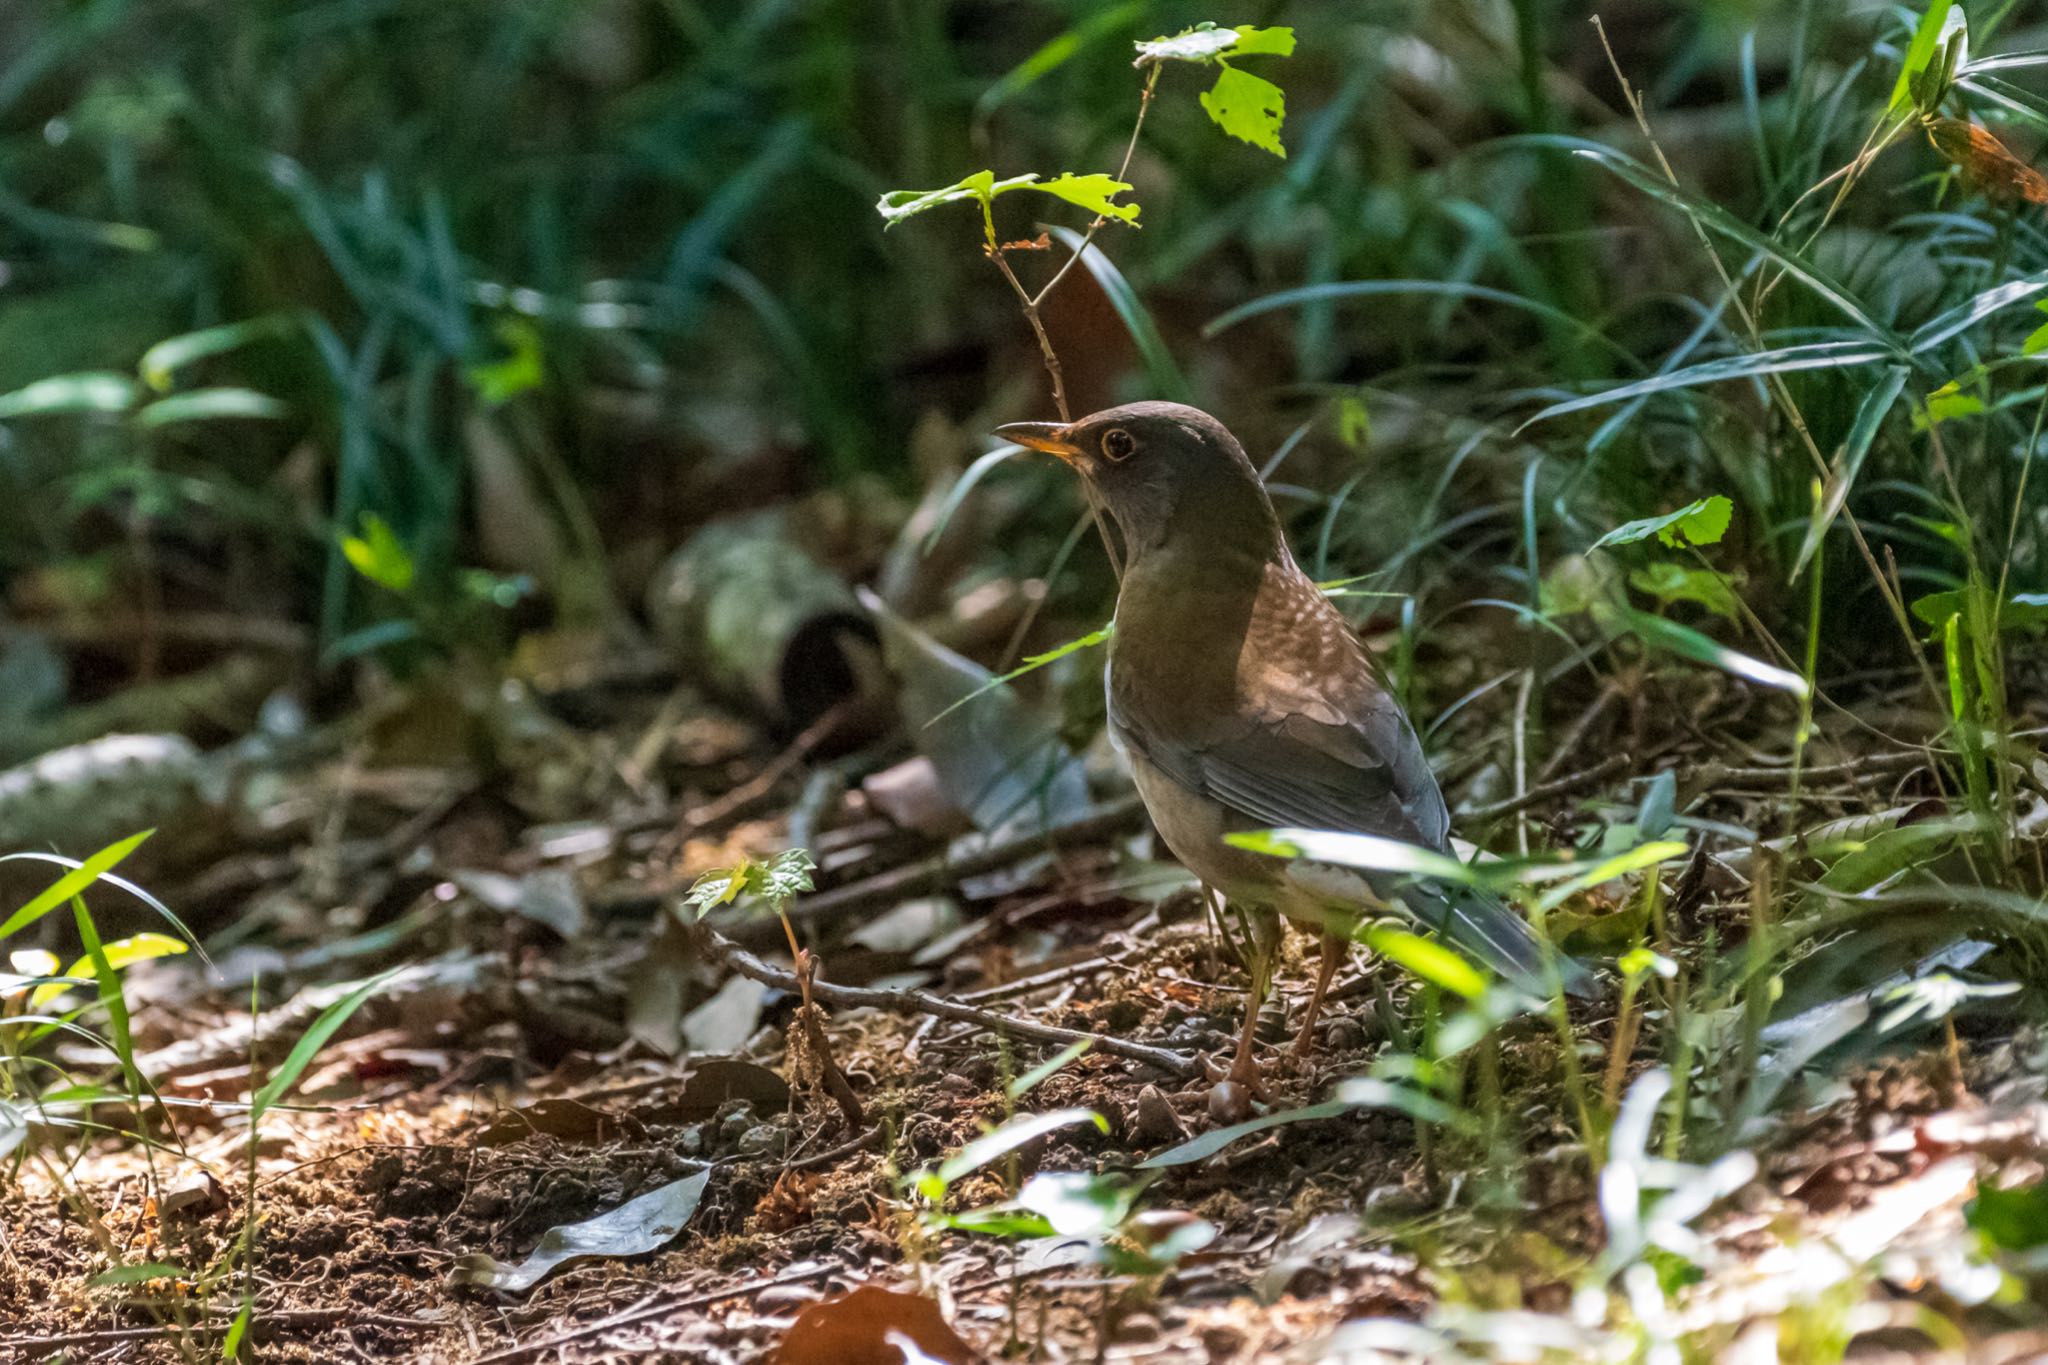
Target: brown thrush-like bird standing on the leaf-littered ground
(1244, 701)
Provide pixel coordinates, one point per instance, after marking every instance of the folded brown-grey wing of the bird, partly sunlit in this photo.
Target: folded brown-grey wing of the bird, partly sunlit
(1314, 738)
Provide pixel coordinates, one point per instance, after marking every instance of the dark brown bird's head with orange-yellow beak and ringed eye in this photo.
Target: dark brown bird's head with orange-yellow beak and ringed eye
(1162, 470)
